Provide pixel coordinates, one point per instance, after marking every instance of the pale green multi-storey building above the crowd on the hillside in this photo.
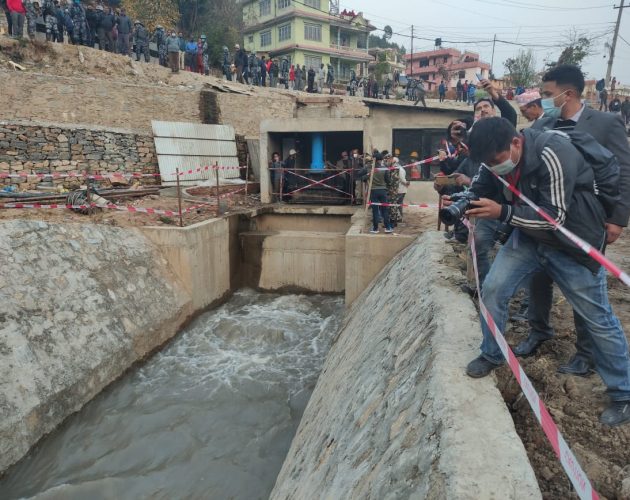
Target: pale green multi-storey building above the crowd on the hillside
(307, 34)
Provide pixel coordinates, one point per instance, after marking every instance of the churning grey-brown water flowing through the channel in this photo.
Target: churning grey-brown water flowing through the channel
(210, 416)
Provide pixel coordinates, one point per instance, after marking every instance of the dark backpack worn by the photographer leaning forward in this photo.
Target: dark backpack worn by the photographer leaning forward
(604, 164)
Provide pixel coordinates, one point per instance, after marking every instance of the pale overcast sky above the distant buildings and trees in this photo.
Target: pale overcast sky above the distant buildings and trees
(543, 25)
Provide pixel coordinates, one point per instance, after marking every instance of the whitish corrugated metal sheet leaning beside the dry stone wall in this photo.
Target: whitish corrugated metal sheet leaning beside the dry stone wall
(189, 146)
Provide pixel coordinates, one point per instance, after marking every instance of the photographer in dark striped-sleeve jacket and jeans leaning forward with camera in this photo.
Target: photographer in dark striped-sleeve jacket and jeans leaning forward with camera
(550, 171)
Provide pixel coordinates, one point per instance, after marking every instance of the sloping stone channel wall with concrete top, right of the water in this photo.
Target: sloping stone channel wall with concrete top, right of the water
(393, 415)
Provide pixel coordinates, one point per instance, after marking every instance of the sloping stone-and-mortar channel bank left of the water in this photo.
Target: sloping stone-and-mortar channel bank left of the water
(80, 304)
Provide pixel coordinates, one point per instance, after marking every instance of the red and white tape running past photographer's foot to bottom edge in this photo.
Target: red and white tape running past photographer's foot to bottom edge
(569, 462)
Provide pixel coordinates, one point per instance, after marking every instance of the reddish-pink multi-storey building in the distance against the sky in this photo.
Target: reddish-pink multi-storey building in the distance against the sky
(433, 64)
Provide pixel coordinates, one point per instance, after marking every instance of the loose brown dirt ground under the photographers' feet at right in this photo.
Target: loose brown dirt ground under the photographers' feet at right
(574, 402)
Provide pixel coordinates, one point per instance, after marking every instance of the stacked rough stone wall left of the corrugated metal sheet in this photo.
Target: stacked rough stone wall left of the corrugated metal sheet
(48, 148)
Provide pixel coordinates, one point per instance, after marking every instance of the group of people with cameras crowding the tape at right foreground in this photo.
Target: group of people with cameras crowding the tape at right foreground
(574, 163)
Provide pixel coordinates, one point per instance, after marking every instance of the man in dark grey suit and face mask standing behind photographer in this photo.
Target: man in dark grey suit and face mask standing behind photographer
(562, 91)
